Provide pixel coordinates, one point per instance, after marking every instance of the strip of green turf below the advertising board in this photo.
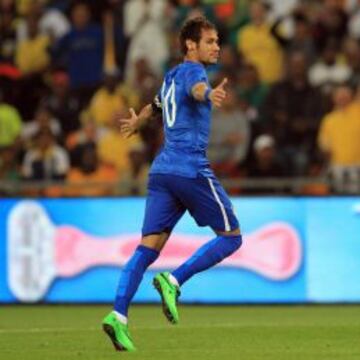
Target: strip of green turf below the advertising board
(209, 333)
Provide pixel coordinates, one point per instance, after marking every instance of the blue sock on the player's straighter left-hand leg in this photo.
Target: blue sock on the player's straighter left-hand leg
(132, 275)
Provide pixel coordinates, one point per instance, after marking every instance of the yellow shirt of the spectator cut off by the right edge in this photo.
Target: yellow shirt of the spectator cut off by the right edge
(339, 135)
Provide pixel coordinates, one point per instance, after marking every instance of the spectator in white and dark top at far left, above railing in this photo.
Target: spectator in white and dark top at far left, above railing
(46, 160)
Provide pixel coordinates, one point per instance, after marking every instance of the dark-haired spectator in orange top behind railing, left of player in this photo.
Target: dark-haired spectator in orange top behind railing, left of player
(90, 178)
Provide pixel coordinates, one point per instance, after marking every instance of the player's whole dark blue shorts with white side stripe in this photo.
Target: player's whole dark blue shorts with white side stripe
(169, 196)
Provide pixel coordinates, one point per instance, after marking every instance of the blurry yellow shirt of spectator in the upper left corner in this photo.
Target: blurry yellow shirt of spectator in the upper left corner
(32, 54)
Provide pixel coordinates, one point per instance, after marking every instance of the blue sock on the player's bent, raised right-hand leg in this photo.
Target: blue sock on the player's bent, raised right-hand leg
(207, 256)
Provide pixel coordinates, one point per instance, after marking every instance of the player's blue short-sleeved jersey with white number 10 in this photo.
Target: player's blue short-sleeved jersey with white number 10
(186, 124)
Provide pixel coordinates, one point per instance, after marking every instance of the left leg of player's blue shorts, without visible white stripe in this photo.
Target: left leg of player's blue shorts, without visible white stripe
(163, 210)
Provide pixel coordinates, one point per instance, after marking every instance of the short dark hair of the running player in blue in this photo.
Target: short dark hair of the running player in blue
(191, 30)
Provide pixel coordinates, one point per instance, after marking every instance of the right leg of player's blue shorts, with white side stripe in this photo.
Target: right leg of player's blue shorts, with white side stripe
(209, 204)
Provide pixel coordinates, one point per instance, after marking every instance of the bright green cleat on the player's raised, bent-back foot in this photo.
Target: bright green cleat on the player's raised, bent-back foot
(169, 295)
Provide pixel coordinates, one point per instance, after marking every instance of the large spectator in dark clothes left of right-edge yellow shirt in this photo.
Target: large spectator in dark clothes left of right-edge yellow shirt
(293, 110)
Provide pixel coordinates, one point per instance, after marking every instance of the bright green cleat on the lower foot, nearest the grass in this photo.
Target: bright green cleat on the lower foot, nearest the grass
(118, 333)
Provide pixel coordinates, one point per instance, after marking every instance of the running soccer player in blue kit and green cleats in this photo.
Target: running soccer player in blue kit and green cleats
(180, 179)
